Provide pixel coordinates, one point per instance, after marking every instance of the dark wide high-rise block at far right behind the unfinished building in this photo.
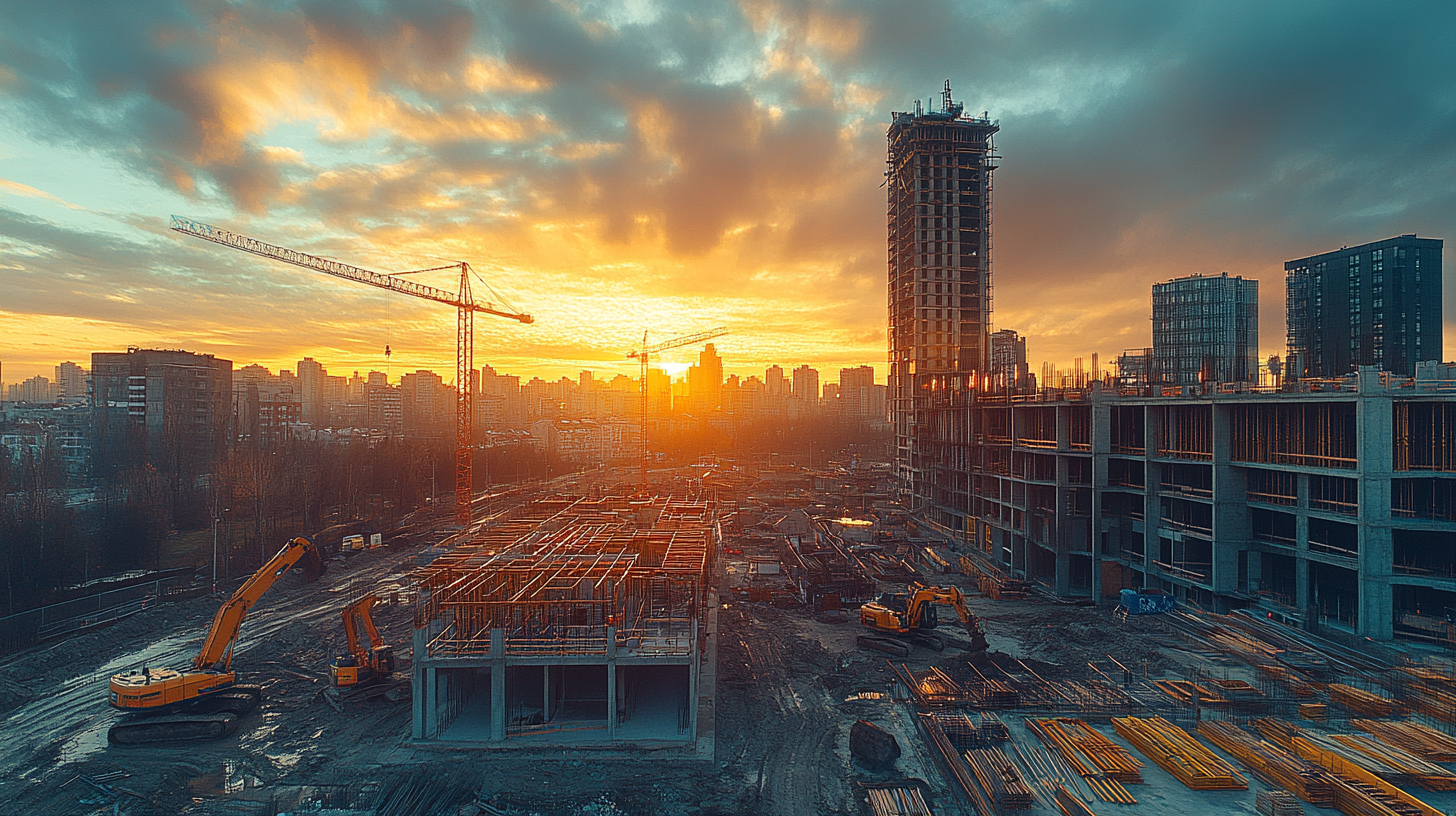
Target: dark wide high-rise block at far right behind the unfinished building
(1371, 305)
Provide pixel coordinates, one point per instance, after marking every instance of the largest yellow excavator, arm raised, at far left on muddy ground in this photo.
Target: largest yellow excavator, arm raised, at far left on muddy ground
(206, 700)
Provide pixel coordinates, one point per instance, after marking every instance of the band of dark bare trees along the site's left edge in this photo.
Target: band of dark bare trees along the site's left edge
(59, 533)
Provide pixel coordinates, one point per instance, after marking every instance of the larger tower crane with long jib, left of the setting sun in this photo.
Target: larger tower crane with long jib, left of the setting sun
(464, 302)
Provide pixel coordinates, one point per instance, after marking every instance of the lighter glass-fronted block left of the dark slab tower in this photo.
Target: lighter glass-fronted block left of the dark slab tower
(1206, 330)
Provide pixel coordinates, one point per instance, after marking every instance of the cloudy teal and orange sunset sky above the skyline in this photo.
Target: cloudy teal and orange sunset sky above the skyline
(673, 167)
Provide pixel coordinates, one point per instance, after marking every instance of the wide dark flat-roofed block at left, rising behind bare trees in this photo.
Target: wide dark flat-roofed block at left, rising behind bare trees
(161, 407)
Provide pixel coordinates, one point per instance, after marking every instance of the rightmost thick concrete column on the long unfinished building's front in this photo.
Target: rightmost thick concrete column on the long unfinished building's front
(1375, 441)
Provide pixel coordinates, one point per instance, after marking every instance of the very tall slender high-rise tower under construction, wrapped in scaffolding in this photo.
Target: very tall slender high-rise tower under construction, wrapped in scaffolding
(940, 221)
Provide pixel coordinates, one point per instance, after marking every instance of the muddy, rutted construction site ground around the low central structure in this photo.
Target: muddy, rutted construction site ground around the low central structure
(790, 686)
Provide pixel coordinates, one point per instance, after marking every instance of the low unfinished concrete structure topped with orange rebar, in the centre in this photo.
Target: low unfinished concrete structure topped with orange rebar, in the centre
(571, 623)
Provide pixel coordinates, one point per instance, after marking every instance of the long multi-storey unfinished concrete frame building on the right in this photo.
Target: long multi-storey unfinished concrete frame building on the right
(1336, 502)
